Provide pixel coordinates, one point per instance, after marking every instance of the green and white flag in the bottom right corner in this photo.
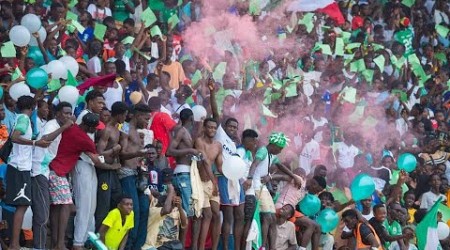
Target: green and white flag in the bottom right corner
(427, 236)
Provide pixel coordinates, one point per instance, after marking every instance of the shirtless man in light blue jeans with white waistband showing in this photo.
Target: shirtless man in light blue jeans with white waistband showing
(182, 148)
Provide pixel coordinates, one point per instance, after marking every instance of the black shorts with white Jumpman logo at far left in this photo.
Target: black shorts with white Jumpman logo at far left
(18, 187)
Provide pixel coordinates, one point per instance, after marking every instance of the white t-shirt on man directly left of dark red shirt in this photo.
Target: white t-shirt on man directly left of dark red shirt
(43, 156)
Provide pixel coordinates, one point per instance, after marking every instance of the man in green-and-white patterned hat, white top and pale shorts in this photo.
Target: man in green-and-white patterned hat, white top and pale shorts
(264, 159)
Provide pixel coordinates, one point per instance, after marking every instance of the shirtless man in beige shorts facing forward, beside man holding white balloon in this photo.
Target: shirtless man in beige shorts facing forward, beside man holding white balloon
(212, 151)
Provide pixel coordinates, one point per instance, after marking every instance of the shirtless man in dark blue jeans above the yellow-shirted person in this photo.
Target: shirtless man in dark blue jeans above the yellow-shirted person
(132, 150)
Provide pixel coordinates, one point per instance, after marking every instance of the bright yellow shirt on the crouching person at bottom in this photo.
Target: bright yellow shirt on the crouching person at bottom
(117, 231)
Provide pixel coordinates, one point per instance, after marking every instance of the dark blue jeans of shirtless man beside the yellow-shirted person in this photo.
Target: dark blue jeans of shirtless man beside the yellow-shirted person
(138, 234)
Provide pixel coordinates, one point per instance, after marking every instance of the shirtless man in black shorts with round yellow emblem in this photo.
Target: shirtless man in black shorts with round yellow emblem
(109, 188)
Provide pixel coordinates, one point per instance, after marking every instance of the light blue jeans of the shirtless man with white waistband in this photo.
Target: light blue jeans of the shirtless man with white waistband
(182, 184)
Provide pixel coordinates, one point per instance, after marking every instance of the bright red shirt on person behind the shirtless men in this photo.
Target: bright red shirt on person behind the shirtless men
(161, 126)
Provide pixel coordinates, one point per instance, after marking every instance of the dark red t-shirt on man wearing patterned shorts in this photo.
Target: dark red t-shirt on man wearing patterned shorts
(74, 141)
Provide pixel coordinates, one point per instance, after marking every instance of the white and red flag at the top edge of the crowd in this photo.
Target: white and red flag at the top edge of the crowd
(329, 7)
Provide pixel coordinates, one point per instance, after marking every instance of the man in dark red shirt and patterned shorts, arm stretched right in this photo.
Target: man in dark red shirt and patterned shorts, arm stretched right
(75, 141)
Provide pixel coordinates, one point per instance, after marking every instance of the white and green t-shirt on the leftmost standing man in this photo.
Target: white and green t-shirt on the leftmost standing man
(21, 154)
